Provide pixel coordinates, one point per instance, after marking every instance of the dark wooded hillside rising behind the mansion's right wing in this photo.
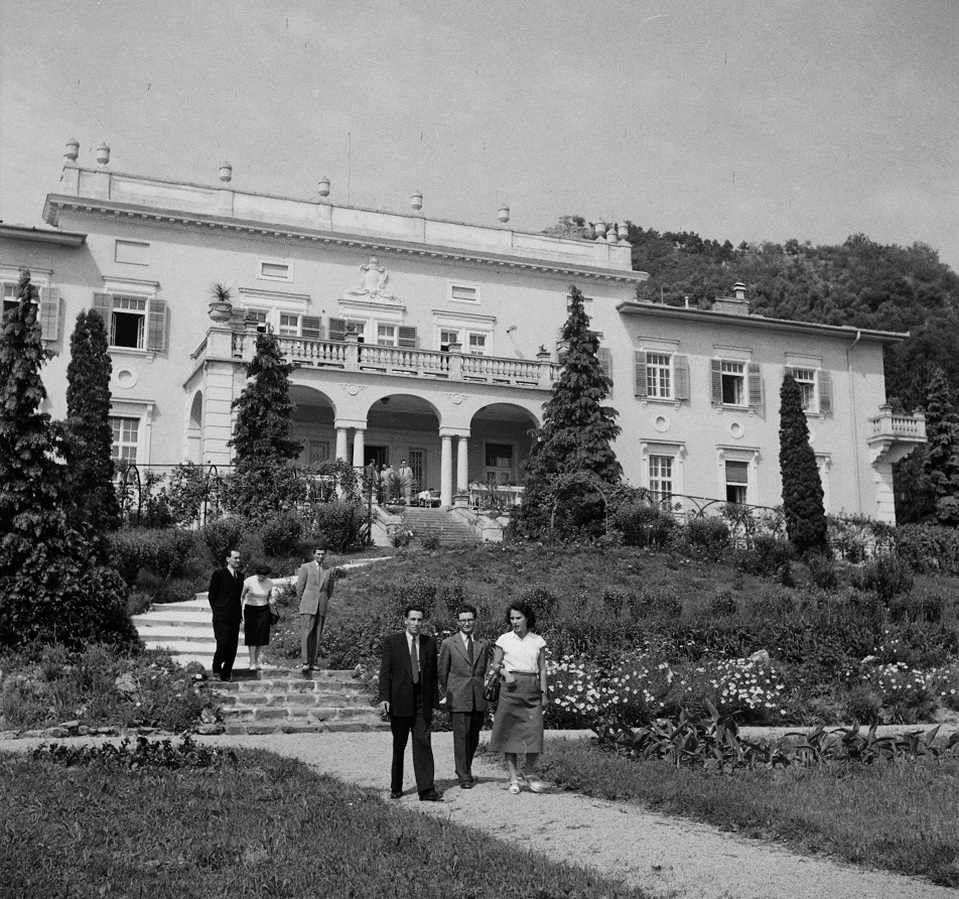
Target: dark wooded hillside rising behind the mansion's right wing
(859, 282)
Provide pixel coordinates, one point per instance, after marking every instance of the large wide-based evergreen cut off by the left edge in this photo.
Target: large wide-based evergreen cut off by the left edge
(52, 588)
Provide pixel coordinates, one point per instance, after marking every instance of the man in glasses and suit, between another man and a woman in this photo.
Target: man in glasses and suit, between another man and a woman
(462, 674)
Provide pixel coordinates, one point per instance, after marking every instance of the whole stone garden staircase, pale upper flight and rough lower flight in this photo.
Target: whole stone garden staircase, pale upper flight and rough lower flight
(272, 700)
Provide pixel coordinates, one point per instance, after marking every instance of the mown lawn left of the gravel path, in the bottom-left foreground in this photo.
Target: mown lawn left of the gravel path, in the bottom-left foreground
(264, 827)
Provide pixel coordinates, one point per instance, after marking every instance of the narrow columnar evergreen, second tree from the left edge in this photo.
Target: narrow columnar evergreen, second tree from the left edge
(92, 500)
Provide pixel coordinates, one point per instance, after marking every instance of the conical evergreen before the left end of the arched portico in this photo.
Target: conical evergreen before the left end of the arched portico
(263, 481)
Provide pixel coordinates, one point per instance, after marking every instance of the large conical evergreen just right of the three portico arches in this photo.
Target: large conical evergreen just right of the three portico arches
(578, 430)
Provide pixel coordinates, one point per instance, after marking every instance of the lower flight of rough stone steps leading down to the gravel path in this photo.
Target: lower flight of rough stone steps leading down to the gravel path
(285, 701)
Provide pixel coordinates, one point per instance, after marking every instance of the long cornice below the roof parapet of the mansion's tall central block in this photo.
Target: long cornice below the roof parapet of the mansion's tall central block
(56, 203)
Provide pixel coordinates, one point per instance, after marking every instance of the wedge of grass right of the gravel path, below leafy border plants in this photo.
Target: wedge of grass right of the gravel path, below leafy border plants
(899, 817)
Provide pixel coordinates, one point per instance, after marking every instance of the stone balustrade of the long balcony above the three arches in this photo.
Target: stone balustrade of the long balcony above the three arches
(352, 356)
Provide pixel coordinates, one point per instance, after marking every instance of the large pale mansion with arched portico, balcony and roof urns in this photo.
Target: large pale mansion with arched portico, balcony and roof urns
(431, 341)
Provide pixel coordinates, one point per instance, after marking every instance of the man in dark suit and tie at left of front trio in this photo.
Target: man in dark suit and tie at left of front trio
(408, 695)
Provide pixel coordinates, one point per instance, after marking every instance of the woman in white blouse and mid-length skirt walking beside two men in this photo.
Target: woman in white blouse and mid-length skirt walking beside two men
(519, 660)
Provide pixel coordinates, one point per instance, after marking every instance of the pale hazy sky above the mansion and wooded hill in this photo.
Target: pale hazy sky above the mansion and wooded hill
(743, 120)
